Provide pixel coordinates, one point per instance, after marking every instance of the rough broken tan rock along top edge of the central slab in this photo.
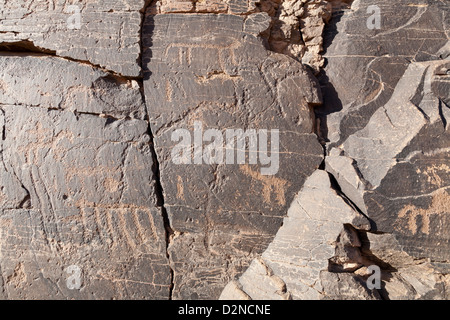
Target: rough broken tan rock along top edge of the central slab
(295, 28)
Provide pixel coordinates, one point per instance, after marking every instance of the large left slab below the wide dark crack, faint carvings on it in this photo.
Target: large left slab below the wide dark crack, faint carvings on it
(79, 216)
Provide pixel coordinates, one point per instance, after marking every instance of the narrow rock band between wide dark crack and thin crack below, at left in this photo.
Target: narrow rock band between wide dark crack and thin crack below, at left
(56, 83)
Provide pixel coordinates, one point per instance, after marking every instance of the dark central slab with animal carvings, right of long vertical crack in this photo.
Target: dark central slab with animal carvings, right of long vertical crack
(213, 71)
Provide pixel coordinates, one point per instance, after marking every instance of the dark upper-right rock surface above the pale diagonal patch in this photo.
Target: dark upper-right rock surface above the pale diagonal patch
(373, 61)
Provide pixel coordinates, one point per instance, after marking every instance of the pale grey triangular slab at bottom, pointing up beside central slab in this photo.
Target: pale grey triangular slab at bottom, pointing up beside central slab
(295, 265)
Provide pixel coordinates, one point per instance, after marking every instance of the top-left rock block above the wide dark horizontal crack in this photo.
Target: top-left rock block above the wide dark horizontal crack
(108, 34)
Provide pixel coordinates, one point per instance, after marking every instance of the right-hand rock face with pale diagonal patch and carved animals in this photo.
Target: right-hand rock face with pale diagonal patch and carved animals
(389, 136)
